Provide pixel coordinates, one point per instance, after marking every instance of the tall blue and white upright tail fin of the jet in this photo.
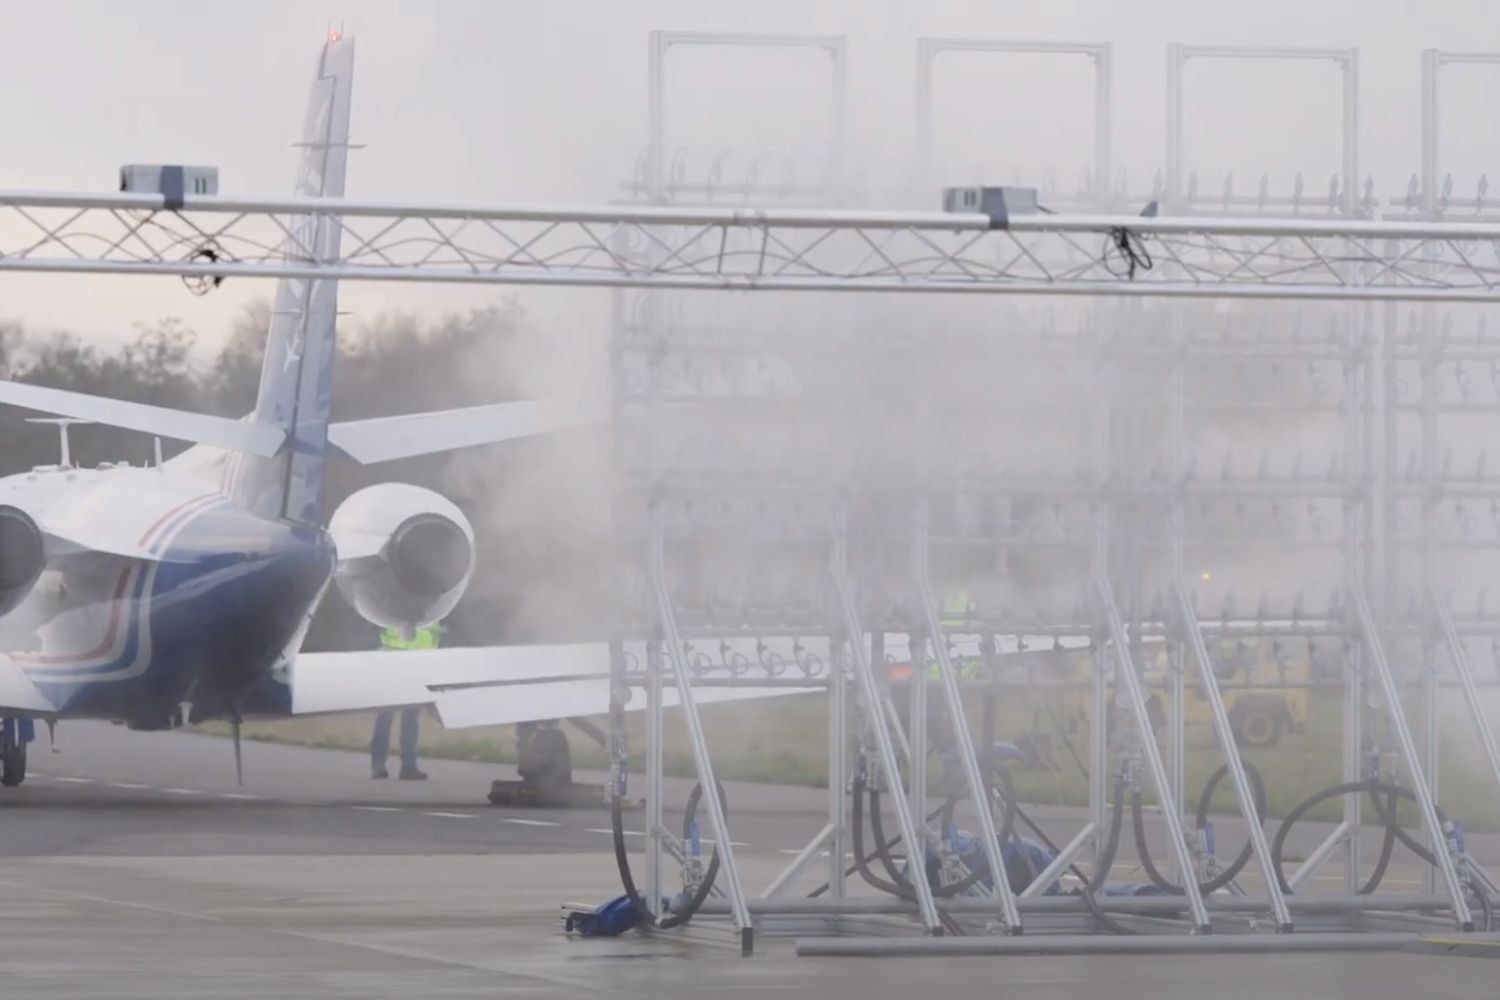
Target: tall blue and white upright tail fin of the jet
(301, 346)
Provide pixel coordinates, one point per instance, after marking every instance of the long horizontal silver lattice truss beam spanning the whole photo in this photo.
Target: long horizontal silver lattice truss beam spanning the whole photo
(755, 250)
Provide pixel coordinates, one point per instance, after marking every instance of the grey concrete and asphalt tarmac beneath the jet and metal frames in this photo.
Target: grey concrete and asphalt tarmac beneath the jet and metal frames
(133, 866)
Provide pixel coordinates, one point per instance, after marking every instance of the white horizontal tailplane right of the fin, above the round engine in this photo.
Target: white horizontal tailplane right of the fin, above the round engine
(391, 439)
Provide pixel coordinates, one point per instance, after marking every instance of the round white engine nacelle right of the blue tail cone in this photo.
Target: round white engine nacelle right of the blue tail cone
(406, 554)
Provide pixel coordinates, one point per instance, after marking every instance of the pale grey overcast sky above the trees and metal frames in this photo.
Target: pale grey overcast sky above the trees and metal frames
(527, 100)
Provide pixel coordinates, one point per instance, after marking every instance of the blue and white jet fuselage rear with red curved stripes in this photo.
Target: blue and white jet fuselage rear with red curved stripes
(167, 593)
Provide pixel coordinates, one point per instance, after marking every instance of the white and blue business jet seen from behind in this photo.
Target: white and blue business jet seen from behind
(182, 591)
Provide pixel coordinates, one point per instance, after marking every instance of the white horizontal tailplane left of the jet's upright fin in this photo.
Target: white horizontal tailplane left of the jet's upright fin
(178, 425)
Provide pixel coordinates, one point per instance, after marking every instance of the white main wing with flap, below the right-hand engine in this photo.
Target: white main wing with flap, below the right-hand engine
(487, 686)
